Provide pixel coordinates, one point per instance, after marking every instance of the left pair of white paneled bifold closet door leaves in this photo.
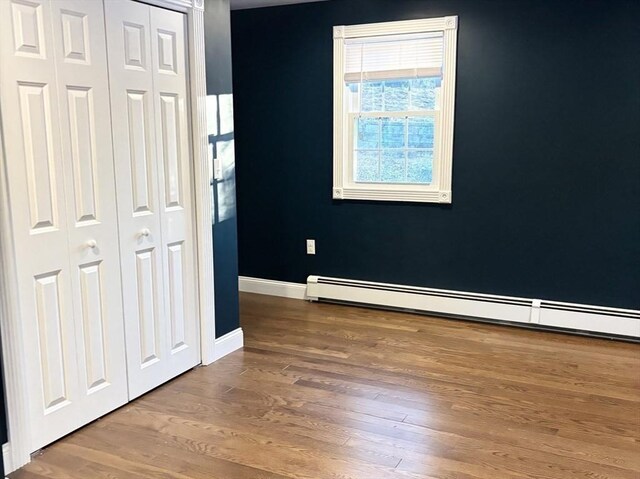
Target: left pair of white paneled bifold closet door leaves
(59, 193)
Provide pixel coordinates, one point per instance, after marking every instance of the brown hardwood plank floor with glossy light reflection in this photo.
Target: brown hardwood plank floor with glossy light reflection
(325, 391)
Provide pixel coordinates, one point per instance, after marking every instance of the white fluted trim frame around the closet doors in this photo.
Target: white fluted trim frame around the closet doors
(17, 454)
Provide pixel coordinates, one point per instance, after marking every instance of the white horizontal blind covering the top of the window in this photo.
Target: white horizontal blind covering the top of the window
(392, 57)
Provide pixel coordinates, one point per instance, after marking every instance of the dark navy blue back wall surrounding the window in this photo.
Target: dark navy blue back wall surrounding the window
(546, 175)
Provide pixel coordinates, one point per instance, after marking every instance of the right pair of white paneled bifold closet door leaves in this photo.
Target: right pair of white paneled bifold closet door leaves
(154, 191)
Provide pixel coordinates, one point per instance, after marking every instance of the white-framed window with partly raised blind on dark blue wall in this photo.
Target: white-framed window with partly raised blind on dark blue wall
(394, 87)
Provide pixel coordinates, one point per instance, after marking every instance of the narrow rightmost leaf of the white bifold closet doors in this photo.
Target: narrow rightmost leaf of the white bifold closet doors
(175, 176)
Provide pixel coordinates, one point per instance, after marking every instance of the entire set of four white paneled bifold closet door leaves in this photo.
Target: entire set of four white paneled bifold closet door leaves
(93, 99)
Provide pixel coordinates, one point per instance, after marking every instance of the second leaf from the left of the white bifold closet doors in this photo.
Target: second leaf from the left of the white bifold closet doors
(92, 217)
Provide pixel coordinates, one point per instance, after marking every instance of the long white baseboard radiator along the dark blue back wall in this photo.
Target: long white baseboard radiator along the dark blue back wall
(579, 318)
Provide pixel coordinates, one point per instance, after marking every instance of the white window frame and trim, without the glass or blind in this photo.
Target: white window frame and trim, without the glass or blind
(439, 190)
